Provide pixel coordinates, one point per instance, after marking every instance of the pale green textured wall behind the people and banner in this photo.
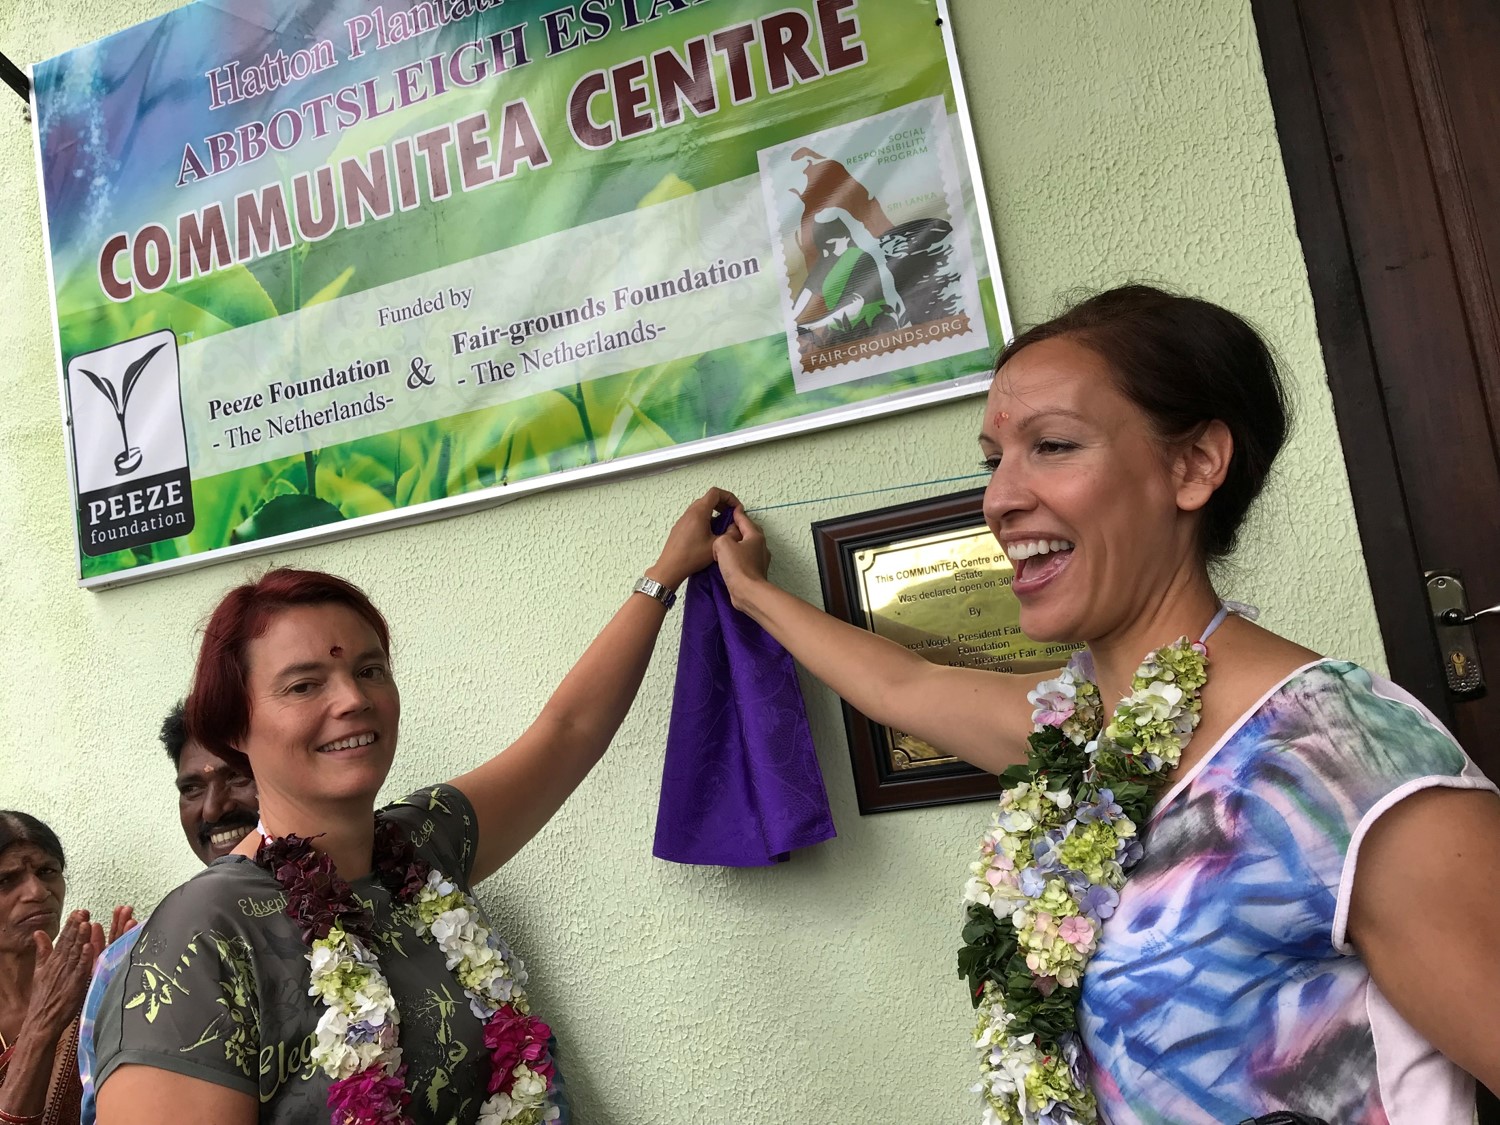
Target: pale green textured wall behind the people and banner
(1120, 140)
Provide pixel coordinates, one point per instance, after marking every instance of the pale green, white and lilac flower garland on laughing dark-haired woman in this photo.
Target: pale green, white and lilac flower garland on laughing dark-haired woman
(1051, 871)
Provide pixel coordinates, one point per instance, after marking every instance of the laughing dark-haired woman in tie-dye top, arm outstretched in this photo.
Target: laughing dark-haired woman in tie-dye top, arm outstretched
(1313, 862)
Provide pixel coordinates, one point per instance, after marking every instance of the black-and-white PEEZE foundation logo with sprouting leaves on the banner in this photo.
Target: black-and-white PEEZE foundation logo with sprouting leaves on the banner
(130, 445)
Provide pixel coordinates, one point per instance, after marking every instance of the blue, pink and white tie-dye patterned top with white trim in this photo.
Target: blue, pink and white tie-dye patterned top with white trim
(1225, 986)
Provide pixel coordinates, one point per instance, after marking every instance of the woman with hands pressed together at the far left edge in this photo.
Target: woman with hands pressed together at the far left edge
(41, 985)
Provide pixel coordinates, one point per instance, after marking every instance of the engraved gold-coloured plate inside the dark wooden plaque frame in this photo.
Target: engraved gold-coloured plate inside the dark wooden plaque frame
(949, 599)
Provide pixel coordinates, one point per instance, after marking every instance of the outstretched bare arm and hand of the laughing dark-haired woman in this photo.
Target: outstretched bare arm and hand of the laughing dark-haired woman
(982, 718)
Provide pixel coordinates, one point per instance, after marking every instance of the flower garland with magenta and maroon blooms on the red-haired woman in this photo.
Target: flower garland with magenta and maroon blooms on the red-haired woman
(358, 1033)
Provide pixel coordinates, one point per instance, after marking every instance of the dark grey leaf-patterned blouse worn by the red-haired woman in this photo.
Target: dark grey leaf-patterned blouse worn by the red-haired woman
(217, 986)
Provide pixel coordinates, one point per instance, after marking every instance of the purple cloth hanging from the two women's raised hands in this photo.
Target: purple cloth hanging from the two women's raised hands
(742, 785)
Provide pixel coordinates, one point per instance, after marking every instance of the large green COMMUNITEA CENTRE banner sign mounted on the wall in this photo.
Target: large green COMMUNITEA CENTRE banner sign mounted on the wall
(322, 266)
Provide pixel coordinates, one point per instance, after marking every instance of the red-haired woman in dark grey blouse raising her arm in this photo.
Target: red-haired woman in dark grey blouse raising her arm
(337, 967)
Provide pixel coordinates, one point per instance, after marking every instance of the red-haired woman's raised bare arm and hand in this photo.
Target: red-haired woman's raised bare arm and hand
(520, 790)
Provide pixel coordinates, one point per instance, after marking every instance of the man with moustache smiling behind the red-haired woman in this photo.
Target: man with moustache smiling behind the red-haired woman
(218, 808)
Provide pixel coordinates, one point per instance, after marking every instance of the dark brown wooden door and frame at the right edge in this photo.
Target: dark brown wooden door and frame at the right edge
(1390, 122)
